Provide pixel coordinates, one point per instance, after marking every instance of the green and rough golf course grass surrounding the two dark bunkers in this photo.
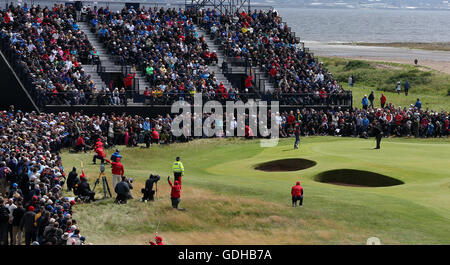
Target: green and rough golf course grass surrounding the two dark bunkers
(229, 202)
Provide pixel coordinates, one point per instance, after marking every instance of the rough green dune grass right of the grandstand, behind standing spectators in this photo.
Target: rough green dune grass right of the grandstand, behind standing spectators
(432, 87)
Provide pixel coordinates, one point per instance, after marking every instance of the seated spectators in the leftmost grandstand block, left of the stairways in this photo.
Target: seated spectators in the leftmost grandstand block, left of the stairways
(47, 48)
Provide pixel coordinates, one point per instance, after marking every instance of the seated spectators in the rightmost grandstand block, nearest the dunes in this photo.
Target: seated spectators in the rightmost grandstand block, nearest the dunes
(265, 41)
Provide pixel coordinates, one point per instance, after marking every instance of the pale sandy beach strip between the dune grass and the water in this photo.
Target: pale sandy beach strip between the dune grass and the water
(437, 60)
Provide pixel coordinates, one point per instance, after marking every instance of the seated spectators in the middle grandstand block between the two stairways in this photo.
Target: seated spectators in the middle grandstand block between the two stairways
(162, 44)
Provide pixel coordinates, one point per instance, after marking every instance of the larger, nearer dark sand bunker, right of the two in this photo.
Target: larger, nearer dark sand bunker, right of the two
(356, 178)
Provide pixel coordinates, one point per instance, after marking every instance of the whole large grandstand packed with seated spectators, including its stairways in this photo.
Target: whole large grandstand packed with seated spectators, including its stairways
(141, 57)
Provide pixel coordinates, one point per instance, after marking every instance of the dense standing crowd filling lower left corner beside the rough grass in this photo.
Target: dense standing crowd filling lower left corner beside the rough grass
(32, 208)
